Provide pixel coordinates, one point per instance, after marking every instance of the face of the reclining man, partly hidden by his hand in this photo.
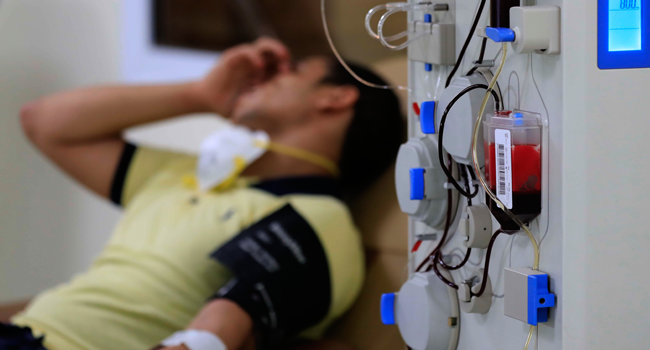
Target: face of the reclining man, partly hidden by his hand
(286, 100)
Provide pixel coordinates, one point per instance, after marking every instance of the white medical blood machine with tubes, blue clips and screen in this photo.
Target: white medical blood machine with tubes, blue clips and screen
(523, 175)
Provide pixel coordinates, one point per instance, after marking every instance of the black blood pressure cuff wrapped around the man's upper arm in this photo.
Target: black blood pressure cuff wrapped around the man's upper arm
(281, 276)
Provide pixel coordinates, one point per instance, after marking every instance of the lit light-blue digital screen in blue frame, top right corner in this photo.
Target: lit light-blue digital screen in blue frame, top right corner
(625, 25)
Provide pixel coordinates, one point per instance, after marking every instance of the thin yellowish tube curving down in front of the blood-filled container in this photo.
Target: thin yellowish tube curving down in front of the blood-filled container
(477, 168)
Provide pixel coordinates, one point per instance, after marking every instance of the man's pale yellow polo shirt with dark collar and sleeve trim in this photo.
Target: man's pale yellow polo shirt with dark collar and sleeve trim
(156, 272)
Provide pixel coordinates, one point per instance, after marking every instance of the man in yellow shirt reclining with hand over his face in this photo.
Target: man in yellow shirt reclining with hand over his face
(249, 245)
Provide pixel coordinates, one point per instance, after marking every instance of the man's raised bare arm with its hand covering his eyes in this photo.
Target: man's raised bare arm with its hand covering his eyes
(81, 130)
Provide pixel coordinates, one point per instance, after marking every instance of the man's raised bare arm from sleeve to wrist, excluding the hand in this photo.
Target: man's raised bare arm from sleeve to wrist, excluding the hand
(81, 130)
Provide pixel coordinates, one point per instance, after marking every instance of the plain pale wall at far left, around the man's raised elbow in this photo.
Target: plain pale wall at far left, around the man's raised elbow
(49, 228)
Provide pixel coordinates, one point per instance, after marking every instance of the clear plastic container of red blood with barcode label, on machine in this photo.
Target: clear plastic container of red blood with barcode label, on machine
(513, 165)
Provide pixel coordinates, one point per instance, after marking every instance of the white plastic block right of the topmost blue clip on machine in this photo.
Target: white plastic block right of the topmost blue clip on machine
(537, 29)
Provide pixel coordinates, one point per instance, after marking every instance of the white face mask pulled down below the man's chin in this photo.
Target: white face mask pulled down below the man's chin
(226, 153)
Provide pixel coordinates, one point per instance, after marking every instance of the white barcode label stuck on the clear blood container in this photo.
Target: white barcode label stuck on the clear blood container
(503, 153)
